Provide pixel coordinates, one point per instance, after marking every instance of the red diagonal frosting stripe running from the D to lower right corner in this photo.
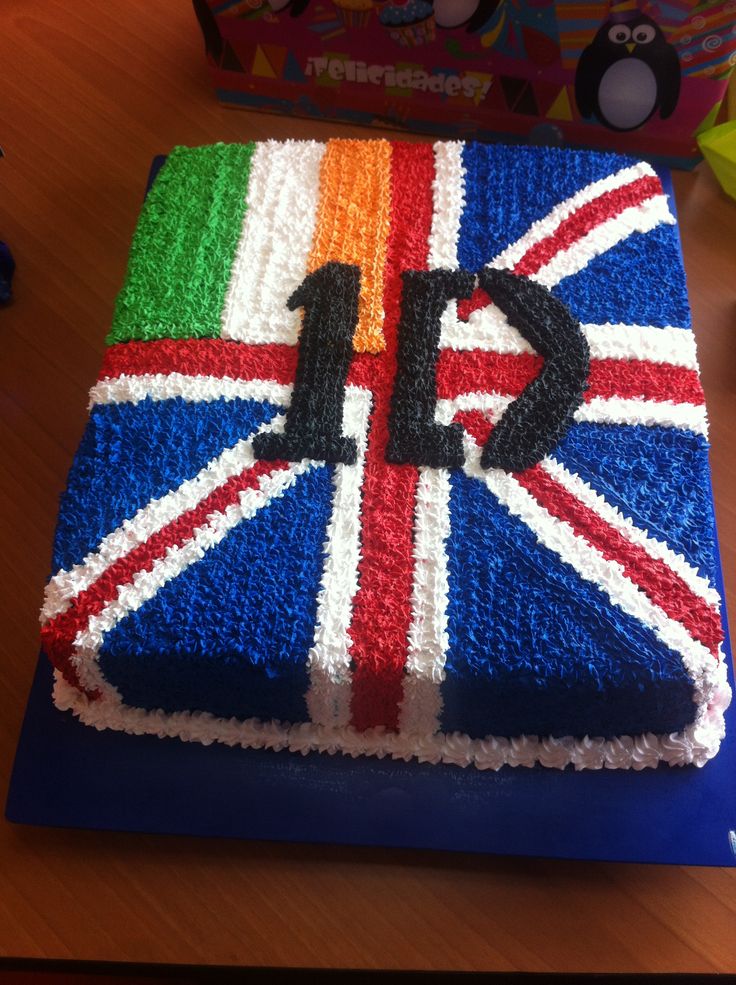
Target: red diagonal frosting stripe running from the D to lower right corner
(656, 579)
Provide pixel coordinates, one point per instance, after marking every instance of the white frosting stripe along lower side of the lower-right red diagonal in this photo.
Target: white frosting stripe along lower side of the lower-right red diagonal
(609, 576)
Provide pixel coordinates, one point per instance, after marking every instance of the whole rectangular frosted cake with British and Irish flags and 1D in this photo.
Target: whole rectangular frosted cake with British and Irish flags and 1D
(398, 449)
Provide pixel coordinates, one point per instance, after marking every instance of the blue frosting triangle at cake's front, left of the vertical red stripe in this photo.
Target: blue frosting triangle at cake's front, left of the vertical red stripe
(232, 633)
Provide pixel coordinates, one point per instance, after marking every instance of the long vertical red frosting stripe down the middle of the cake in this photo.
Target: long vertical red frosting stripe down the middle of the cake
(382, 605)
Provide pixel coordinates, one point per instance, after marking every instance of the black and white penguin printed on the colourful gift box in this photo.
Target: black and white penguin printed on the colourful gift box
(628, 72)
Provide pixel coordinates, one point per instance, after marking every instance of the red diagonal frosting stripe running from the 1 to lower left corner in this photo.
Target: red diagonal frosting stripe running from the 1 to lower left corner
(58, 634)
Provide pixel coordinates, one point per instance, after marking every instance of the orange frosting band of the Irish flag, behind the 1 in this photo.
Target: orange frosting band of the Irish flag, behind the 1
(353, 224)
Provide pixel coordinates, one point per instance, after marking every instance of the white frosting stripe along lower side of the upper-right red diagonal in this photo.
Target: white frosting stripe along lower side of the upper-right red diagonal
(636, 219)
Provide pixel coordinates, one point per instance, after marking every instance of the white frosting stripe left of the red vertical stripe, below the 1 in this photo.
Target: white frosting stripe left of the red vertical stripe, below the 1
(328, 698)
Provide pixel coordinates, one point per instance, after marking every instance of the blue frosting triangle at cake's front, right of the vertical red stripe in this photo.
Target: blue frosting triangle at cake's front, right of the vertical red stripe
(536, 649)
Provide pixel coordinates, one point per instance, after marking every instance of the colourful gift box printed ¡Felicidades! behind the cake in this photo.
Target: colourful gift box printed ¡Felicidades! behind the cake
(638, 76)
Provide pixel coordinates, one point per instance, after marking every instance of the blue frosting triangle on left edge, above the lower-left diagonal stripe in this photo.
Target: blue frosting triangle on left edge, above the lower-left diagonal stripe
(132, 453)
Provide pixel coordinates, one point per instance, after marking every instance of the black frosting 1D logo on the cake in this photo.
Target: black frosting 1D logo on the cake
(529, 428)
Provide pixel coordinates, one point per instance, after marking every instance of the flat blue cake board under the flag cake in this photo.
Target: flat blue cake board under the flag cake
(69, 775)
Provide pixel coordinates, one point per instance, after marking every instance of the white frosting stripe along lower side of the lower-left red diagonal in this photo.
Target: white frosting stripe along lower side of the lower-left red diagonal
(146, 583)
